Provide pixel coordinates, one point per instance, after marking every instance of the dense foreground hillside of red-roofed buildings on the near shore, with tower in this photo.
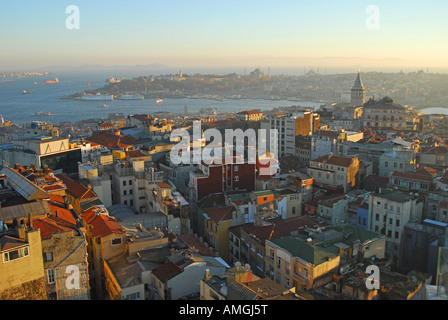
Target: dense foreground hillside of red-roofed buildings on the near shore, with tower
(356, 186)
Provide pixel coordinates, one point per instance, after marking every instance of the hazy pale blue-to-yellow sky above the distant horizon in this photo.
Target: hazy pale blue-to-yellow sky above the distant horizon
(319, 33)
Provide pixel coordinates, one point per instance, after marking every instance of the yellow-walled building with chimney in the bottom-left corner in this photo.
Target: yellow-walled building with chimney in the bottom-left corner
(22, 275)
